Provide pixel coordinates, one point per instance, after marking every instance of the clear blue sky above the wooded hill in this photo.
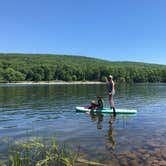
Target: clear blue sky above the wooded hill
(115, 30)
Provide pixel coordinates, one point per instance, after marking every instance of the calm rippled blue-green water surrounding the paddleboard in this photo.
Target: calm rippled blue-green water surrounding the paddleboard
(45, 110)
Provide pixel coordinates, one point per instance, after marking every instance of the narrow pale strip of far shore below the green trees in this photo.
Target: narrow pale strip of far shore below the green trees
(53, 83)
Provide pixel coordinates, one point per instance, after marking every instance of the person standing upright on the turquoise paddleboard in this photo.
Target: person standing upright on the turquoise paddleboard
(111, 92)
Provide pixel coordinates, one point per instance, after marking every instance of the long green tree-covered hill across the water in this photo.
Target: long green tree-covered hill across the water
(39, 67)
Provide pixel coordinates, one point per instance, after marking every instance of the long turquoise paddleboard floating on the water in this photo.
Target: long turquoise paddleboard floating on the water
(107, 110)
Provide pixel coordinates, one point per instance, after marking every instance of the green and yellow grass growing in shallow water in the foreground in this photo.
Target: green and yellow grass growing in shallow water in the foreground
(38, 152)
